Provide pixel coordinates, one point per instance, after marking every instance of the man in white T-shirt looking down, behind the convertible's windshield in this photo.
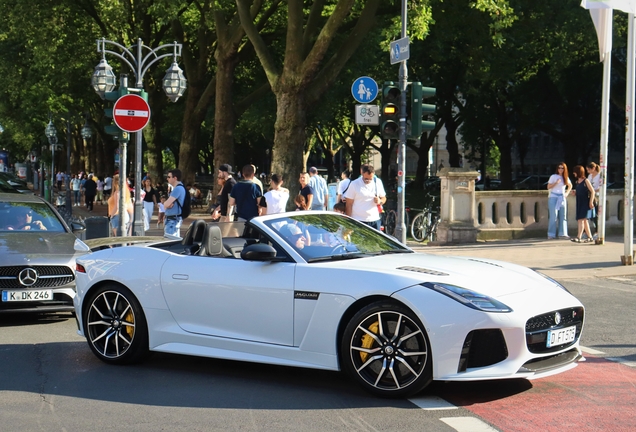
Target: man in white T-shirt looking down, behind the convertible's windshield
(365, 197)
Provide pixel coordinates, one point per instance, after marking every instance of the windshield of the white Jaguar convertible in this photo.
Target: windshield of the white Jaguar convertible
(330, 236)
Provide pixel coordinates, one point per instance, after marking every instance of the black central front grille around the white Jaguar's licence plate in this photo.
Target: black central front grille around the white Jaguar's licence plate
(537, 328)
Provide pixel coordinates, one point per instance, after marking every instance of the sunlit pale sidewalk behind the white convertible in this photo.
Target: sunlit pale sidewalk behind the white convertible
(560, 259)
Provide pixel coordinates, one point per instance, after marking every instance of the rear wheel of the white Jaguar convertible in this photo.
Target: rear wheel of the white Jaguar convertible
(115, 326)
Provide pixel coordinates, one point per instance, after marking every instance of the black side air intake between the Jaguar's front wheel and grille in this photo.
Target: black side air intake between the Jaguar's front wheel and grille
(482, 348)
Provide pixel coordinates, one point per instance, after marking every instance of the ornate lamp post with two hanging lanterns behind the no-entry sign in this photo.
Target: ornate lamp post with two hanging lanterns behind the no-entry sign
(174, 84)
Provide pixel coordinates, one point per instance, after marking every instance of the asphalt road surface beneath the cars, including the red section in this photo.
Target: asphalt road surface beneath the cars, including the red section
(49, 380)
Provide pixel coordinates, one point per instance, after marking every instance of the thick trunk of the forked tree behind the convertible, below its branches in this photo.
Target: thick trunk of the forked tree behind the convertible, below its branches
(289, 139)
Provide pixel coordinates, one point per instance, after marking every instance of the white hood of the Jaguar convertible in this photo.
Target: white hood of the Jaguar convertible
(489, 277)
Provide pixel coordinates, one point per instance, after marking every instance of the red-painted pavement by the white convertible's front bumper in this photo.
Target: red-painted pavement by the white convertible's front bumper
(596, 395)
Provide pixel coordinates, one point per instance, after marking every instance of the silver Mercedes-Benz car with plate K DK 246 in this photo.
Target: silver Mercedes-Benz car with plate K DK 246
(37, 256)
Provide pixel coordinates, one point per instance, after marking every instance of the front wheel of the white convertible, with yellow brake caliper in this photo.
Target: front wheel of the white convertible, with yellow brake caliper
(385, 349)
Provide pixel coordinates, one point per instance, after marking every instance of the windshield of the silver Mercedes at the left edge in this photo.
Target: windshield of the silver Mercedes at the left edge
(32, 216)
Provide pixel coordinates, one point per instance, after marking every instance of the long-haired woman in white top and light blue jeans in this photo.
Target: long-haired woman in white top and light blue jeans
(559, 186)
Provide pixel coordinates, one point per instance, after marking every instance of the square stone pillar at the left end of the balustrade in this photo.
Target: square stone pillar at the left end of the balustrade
(457, 206)
